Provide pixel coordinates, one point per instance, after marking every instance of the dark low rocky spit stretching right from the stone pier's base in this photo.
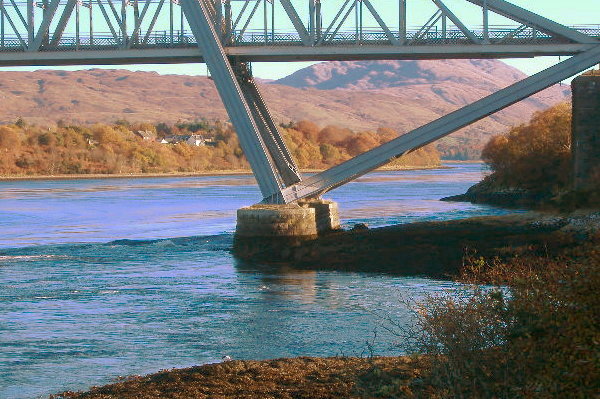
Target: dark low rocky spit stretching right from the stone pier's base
(433, 249)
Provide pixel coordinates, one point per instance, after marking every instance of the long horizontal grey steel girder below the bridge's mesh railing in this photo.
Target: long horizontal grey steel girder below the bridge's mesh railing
(284, 53)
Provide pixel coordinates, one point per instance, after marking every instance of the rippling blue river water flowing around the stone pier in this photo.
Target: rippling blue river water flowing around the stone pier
(113, 277)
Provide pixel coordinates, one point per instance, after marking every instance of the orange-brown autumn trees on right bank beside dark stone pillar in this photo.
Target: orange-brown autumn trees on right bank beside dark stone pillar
(531, 165)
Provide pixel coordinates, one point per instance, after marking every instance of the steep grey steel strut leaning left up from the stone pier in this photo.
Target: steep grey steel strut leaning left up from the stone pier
(259, 137)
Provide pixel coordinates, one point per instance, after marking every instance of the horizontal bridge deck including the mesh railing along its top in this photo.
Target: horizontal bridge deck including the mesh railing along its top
(182, 47)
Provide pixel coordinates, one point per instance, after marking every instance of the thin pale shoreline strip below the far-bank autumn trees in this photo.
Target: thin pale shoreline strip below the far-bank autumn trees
(230, 172)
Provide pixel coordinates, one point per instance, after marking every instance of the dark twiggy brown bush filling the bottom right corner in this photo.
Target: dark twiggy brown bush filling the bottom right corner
(538, 337)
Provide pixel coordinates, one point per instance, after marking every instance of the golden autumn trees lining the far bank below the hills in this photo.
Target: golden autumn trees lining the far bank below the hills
(116, 149)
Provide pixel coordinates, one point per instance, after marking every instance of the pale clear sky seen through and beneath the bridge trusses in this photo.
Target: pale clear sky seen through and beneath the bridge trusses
(573, 12)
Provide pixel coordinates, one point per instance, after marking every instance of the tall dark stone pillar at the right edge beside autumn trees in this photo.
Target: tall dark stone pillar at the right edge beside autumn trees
(586, 131)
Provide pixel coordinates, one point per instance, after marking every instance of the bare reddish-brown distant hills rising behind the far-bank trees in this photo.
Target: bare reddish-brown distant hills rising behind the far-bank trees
(358, 95)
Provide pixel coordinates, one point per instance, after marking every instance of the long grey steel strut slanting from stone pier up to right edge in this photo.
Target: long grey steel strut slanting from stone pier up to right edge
(373, 159)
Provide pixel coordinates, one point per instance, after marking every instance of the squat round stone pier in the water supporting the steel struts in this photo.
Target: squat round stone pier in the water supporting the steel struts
(270, 231)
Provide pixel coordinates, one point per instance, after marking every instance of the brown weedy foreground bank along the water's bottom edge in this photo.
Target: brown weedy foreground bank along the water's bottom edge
(298, 378)
